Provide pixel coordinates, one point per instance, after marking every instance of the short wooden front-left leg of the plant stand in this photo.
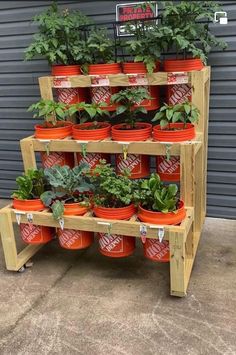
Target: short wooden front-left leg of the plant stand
(8, 239)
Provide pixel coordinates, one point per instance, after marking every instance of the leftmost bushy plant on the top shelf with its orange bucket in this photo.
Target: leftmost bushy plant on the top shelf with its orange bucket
(60, 41)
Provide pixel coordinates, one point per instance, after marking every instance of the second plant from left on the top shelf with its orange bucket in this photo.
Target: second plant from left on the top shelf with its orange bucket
(102, 63)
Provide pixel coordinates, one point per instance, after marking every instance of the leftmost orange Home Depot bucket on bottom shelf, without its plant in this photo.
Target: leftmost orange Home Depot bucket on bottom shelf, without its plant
(31, 233)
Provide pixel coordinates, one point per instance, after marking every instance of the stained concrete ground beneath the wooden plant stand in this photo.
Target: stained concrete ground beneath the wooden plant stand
(85, 303)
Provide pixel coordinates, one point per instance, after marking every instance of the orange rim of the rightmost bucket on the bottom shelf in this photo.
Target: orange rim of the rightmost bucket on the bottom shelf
(162, 218)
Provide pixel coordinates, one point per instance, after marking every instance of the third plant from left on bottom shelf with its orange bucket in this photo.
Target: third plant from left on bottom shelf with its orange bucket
(112, 199)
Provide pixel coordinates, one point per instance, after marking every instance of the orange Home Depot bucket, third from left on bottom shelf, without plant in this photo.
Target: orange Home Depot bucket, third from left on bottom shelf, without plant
(115, 246)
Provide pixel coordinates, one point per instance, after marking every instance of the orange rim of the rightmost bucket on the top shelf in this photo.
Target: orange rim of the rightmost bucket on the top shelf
(174, 65)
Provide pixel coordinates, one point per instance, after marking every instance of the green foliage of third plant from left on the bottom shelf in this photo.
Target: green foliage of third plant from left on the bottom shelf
(111, 190)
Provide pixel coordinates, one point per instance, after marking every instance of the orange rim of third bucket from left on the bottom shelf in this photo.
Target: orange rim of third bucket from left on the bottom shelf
(115, 213)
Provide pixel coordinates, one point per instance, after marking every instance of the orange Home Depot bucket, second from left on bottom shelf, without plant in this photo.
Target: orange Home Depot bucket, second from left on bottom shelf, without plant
(74, 239)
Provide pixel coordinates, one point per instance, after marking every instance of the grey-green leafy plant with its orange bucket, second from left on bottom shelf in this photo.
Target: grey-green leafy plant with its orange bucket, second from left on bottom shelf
(69, 196)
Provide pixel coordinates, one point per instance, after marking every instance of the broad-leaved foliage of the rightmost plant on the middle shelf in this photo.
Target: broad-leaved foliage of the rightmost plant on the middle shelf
(184, 112)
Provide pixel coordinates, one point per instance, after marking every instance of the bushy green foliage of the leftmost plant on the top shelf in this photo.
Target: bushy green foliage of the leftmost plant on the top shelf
(59, 39)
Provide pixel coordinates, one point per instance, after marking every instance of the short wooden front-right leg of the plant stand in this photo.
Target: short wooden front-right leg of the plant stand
(177, 264)
